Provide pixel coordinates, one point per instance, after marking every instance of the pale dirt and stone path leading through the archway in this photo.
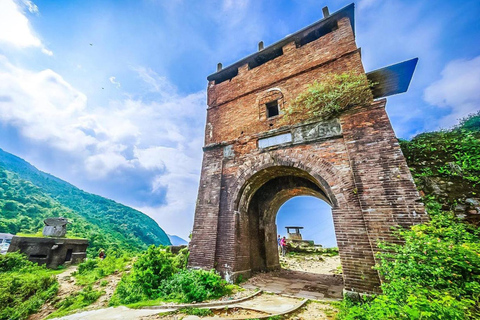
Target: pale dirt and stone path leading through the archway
(305, 276)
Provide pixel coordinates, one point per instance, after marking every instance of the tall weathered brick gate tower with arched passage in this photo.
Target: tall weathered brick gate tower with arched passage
(253, 162)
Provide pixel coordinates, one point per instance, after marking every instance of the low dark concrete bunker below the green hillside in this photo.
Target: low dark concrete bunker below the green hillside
(51, 252)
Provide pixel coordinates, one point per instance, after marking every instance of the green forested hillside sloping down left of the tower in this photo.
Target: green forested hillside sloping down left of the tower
(28, 195)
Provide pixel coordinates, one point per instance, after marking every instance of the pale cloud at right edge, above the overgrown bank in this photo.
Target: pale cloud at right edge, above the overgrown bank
(458, 89)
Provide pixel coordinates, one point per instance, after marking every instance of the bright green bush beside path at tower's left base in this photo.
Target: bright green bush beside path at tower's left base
(158, 274)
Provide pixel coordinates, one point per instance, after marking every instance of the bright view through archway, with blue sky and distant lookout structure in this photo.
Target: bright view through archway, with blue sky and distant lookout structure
(312, 253)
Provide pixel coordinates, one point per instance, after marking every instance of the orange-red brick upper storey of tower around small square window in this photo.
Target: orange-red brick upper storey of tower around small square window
(234, 106)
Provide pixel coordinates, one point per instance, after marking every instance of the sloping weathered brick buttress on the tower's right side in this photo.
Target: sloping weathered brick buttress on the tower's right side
(388, 195)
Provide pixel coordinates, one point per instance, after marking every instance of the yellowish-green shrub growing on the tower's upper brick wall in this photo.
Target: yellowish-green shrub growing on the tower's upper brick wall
(334, 94)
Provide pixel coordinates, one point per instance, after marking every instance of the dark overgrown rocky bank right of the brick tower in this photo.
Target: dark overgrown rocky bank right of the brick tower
(446, 165)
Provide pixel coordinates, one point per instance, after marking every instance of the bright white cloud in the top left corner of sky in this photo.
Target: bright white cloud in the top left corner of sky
(15, 28)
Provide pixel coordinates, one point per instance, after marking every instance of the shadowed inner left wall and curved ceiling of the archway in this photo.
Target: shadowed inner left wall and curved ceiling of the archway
(260, 200)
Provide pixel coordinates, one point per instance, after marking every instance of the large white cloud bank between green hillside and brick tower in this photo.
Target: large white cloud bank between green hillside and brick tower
(163, 138)
